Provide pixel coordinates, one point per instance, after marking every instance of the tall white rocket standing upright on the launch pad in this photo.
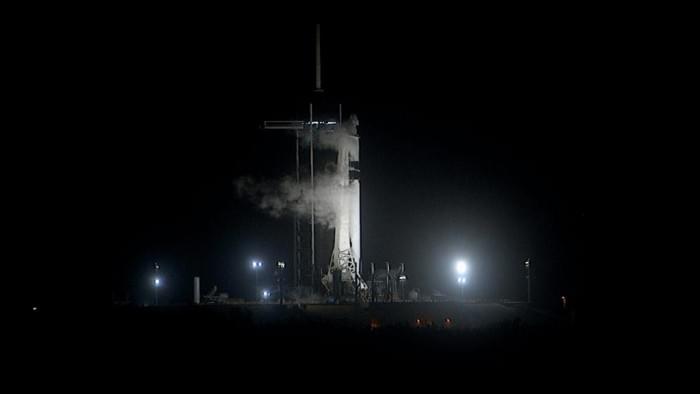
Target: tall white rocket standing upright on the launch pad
(344, 269)
